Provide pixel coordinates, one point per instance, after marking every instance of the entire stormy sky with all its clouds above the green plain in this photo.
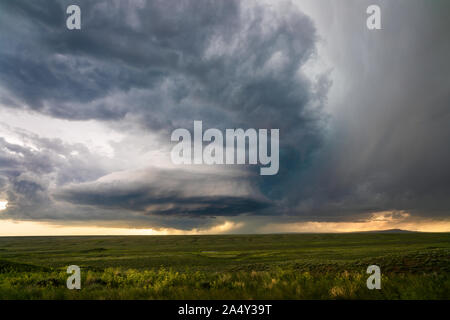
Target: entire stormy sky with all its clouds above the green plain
(86, 116)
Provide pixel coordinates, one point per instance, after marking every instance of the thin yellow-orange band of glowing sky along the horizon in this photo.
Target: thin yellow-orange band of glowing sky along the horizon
(379, 221)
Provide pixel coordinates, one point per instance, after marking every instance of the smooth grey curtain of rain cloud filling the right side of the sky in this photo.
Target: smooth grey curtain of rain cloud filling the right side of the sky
(388, 144)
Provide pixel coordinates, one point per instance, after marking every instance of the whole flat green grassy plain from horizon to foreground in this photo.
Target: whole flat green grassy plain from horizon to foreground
(290, 266)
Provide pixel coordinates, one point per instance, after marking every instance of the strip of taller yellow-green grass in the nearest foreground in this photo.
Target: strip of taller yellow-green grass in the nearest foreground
(114, 283)
